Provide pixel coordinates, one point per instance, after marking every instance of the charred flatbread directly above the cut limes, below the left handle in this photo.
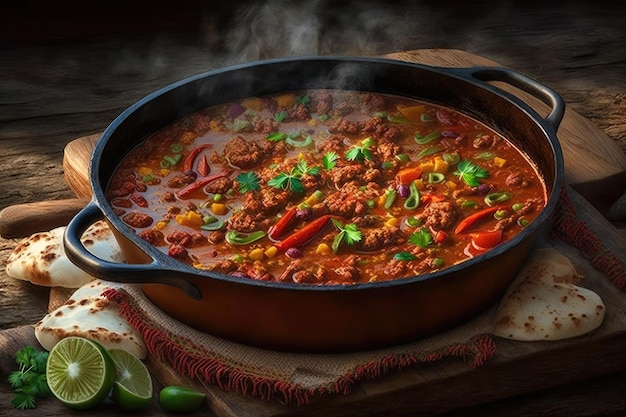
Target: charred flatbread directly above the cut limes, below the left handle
(88, 314)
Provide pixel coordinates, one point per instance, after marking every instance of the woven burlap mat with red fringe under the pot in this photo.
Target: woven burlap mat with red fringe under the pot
(293, 378)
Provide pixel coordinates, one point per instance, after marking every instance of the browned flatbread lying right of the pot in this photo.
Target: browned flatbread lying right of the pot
(544, 302)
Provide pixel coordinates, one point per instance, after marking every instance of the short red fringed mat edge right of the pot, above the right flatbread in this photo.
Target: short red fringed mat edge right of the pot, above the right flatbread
(570, 229)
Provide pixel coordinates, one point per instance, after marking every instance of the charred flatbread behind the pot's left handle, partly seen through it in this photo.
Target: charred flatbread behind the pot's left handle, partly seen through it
(40, 258)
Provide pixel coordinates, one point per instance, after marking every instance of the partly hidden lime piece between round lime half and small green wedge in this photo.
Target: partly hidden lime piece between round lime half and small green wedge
(133, 385)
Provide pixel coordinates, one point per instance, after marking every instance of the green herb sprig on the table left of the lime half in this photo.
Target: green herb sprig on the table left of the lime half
(29, 381)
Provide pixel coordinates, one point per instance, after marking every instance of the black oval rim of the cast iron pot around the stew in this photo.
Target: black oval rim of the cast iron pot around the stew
(166, 262)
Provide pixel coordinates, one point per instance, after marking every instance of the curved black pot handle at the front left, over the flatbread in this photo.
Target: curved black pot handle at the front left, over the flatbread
(152, 272)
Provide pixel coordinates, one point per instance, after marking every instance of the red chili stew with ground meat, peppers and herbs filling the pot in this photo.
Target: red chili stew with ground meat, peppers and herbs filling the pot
(326, 187)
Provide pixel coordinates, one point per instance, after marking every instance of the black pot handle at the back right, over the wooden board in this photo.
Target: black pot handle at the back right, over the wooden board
(524, 83)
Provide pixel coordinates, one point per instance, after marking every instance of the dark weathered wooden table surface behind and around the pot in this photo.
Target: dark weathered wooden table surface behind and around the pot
(67, 71)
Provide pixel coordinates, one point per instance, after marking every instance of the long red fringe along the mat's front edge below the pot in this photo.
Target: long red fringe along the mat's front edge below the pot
(196, 362)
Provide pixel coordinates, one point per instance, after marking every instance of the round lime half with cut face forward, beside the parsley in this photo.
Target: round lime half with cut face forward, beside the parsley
(80, 372)
